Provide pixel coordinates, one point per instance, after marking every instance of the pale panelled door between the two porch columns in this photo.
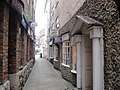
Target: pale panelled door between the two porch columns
(87, 63)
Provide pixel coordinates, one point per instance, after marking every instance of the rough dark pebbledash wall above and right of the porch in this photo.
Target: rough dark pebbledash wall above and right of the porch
(106, 12)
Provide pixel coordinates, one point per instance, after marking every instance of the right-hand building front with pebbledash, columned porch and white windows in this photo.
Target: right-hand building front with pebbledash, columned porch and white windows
(86, 42)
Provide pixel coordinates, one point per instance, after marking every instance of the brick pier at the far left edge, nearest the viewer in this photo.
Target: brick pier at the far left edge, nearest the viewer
(4, 18)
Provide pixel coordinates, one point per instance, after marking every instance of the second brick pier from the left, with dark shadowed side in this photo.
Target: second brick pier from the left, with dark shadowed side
(13, 51)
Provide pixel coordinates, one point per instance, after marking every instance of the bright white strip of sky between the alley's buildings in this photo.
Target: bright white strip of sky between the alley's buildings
(40, 17)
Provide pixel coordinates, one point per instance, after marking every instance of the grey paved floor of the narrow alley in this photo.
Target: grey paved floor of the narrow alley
(45, 77)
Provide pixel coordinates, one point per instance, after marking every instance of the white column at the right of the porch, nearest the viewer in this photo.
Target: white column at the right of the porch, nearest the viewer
(96, 34)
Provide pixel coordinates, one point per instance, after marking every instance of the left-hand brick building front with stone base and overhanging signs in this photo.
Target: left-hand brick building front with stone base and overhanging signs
(17, 44)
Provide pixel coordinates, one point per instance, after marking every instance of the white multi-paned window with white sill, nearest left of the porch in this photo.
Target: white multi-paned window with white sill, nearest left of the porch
(66, 52)
